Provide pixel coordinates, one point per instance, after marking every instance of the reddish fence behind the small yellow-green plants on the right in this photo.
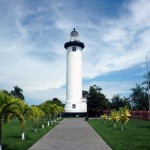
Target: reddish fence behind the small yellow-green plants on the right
(135, 114)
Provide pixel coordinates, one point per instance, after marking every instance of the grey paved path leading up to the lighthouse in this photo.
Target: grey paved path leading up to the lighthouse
(71, 134)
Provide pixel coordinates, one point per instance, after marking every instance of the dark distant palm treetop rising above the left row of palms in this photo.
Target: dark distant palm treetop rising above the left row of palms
(17, 92)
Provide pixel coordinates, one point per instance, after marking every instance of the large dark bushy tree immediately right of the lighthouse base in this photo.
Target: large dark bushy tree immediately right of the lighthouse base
(96, 101)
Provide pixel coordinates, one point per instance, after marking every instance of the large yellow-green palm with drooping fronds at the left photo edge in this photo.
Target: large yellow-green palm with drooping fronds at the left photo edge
(9, 106)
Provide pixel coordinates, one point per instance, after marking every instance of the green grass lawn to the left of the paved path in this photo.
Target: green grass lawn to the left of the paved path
(11, 135)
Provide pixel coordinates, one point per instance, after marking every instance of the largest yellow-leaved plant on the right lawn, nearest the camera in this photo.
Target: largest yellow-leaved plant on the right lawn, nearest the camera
(124, 115)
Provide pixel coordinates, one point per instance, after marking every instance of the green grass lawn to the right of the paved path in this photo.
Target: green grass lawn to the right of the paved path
(136, 135)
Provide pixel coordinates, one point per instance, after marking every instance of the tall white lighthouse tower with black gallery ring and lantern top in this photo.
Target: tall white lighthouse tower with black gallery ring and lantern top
(75, 104)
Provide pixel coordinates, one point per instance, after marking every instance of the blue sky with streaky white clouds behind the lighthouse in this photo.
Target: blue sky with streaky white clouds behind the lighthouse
(116, 34)
